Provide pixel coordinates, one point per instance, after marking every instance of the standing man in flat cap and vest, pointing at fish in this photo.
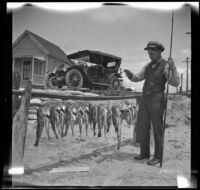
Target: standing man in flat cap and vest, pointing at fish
(152, 103)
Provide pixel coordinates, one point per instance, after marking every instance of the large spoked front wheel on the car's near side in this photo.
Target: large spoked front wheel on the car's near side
(74, 79)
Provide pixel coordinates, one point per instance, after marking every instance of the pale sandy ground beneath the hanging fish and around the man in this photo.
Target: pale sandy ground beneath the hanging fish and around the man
(107, 165)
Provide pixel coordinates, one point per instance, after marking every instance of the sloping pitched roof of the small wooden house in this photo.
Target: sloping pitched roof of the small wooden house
(45, 46)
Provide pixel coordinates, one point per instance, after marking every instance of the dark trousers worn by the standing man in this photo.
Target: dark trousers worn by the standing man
(151, 109)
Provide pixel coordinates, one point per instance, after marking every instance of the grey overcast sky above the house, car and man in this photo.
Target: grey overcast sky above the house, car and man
(120, 30)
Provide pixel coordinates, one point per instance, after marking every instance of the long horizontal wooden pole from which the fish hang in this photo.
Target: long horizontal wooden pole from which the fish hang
(55, 95)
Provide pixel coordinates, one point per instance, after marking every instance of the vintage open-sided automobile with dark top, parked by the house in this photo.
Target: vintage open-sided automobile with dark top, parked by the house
(90, 69)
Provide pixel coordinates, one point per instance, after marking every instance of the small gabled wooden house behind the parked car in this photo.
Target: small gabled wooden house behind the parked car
(34, 56)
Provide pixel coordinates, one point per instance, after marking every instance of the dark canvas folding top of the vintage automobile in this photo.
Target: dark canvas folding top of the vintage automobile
(97, 57)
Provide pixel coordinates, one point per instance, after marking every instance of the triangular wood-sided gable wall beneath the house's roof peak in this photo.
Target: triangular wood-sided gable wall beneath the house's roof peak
(26, 48)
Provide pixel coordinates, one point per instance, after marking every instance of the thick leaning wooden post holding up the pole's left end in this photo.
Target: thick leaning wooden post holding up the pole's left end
(19, 127)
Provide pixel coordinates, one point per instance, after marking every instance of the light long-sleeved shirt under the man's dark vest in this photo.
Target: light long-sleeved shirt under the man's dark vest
(174, 79)
